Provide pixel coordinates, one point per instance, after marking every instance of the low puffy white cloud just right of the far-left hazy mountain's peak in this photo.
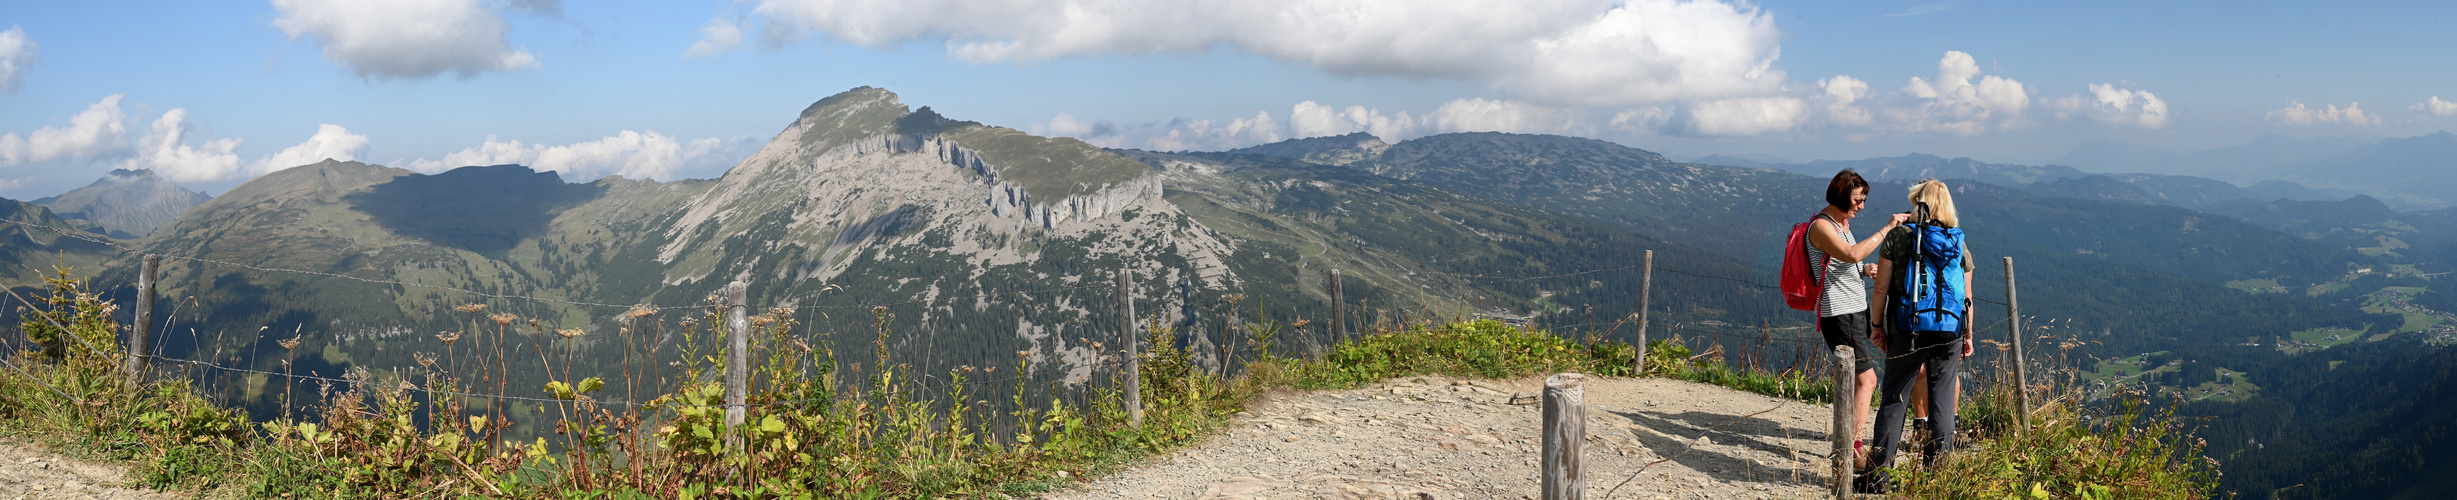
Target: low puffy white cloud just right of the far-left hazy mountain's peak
(217, 161)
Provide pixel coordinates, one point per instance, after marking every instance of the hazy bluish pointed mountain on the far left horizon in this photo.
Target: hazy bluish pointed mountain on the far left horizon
(127, 202)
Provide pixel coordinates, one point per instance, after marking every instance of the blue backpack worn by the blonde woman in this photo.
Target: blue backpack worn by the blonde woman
(1932, 290)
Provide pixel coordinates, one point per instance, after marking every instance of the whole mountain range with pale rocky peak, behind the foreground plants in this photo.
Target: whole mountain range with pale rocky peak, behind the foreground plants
(979, 244)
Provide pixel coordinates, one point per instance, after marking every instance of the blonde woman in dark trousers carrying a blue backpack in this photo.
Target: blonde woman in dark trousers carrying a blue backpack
(1925, 325)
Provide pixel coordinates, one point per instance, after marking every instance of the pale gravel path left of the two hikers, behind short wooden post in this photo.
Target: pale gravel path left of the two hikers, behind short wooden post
(1439, 437)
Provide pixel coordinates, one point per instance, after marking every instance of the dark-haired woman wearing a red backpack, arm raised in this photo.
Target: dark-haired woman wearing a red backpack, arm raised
(1839, 290)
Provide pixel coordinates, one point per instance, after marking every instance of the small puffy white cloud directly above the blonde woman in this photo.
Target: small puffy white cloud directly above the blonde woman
(1955, 104)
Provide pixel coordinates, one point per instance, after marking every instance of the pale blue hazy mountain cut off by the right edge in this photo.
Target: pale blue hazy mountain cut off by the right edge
(2412, 173)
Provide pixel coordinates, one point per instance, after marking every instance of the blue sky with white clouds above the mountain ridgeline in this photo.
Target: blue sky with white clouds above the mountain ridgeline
(222, 92)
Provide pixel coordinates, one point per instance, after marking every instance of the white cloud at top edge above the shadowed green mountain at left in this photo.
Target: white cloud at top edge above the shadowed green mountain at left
(407, 38)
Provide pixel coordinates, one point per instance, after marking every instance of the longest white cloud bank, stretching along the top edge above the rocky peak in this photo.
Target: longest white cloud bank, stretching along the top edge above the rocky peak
(1564, 53)
